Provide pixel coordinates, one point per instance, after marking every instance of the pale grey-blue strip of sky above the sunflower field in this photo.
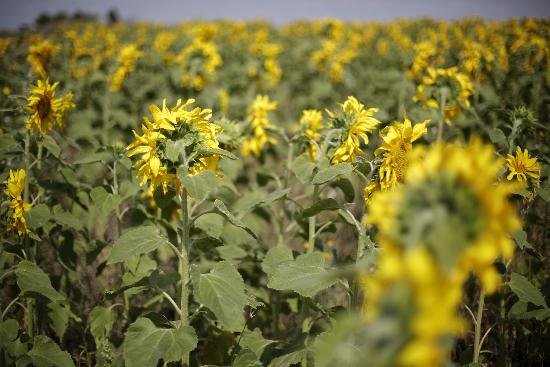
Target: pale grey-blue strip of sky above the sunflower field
(14, 13)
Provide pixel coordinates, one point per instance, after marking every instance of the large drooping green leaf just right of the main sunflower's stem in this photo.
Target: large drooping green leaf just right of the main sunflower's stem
(222, 291)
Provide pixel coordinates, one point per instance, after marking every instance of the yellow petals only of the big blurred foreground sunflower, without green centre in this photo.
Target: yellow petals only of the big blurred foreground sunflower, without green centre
(437, 290)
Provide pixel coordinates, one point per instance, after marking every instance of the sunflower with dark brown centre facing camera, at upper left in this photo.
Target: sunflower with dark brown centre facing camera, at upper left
(44, 110)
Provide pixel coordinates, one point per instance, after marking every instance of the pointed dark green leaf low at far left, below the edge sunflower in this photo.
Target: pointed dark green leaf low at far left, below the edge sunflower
(32, 279)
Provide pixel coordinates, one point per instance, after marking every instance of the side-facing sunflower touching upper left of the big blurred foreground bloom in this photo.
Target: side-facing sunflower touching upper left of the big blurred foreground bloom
(396, 147)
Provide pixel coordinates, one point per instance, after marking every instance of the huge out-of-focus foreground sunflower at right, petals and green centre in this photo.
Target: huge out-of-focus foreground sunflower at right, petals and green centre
(450, 217)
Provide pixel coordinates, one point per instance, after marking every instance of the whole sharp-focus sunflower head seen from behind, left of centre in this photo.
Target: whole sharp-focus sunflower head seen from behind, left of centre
(165, 134)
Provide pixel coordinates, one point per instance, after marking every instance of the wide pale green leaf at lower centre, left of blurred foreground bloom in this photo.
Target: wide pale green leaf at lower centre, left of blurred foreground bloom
(306, 275)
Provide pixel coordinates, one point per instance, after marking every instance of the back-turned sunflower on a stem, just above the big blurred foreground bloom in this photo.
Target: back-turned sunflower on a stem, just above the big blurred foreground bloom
(456, 87)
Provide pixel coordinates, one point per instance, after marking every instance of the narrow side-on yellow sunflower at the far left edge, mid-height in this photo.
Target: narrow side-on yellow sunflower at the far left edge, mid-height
(15, 186)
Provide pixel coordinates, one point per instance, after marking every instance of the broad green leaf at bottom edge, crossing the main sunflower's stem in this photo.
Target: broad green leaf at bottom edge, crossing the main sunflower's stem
(145, 344)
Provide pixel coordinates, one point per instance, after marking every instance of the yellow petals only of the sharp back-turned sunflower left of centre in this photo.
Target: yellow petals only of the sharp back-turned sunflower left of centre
(149, 164)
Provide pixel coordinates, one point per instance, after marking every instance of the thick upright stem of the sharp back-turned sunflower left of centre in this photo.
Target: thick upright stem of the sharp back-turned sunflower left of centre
(184, 267)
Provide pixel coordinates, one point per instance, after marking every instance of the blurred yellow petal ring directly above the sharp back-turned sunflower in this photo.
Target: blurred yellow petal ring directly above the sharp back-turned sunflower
(213, 60)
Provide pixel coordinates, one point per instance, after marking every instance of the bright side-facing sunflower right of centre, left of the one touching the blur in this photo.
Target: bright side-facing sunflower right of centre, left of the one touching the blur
(356, 123)
